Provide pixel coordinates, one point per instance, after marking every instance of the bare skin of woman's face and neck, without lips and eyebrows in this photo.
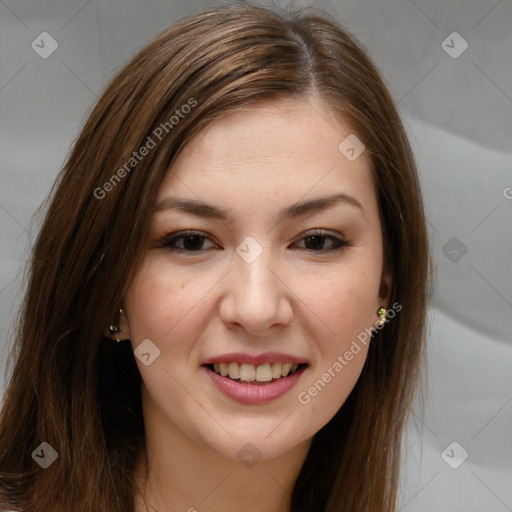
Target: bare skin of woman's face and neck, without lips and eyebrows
(297, 297)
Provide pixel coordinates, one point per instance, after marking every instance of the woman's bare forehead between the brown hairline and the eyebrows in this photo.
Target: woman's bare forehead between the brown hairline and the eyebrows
(281, 150)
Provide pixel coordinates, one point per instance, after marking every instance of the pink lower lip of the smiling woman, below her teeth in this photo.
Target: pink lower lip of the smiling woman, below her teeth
(253, 394)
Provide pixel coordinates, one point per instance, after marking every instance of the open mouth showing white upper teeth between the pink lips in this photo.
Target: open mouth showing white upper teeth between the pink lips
(250, 374)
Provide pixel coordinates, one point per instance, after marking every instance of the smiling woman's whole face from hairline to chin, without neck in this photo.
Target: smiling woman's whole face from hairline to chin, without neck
(256, 287)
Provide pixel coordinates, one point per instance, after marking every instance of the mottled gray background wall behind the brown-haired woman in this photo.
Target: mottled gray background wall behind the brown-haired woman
(458, 112)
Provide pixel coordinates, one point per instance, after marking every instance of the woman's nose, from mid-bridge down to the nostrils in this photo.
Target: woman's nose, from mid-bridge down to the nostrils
(256, 296)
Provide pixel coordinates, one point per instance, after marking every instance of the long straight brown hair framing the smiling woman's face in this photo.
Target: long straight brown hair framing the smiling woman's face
(75, 390)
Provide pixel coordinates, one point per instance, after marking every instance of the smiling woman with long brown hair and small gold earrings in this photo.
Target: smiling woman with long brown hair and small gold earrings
(226, 301)
